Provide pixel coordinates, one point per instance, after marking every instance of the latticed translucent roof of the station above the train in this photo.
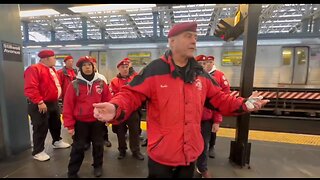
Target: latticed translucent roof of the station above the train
(138, 23)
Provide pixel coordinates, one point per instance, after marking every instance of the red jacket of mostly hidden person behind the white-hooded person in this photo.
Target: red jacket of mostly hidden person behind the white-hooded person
(66, 76)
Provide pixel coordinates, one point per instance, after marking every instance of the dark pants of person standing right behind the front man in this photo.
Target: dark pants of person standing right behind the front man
(202, 161)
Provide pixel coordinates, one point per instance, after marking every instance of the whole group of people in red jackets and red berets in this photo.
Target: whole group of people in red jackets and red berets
(185, 97)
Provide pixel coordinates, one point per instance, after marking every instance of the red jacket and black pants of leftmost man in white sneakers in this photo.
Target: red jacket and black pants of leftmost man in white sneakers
(40, 86)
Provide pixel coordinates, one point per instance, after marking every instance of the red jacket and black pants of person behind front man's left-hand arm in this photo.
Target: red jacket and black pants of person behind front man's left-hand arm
(133, 122)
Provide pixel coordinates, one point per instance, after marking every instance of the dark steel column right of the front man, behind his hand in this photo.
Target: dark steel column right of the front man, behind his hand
(240, 148)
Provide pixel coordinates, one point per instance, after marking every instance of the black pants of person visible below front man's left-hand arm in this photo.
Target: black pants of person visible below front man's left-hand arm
(133, 124)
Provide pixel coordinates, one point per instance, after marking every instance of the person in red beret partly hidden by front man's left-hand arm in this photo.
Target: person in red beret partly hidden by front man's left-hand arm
(133, 122)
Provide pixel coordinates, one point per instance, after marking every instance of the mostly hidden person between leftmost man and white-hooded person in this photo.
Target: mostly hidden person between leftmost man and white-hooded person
(66, 74)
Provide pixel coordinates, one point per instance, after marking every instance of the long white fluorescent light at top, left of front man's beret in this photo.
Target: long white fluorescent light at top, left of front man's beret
(109, 7)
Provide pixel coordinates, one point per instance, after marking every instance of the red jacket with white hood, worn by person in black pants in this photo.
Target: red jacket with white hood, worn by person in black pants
(79, 108)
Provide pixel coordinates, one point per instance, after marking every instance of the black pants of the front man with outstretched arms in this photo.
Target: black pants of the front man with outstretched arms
(157, 170)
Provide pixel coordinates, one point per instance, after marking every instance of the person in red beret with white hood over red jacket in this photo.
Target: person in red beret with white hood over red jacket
(78, 118)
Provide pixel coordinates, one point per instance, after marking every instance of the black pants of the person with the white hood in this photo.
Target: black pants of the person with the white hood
(84, 131)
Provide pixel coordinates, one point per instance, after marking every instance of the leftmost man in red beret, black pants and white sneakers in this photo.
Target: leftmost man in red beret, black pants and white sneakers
(42, 89)
